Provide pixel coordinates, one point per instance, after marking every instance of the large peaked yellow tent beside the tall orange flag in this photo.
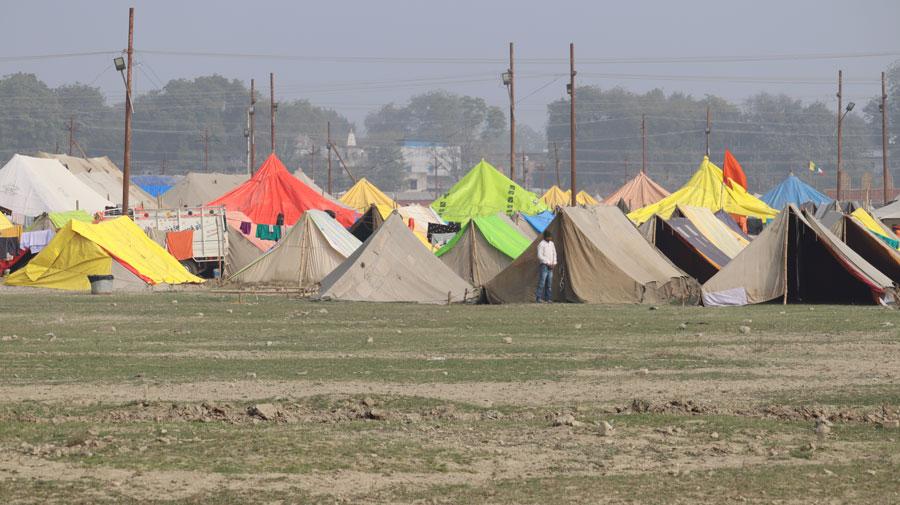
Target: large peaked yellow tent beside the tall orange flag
(705, 189)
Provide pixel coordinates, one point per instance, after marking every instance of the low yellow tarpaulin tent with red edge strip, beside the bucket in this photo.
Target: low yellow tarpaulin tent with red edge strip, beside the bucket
(80, 249)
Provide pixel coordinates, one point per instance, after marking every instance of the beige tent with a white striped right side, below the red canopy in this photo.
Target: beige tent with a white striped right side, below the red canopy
(312, 248)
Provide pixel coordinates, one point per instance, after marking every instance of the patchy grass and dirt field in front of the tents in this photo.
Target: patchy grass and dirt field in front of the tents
(197, 398)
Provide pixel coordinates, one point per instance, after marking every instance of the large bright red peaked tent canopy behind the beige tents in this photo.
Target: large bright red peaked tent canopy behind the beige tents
(273, 190)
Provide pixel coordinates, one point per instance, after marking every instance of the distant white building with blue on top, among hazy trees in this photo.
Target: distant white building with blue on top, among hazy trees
(431, 165)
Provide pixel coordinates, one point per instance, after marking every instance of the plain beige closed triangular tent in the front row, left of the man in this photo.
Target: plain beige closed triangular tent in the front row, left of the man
(391, 266)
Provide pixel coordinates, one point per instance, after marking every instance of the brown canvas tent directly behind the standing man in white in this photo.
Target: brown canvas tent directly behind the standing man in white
(602, 259)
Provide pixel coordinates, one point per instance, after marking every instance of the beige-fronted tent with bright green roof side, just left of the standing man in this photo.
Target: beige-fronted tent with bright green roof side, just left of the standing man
(483, 247)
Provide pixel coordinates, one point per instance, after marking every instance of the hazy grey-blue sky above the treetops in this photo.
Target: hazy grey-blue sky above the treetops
(408, 47)
